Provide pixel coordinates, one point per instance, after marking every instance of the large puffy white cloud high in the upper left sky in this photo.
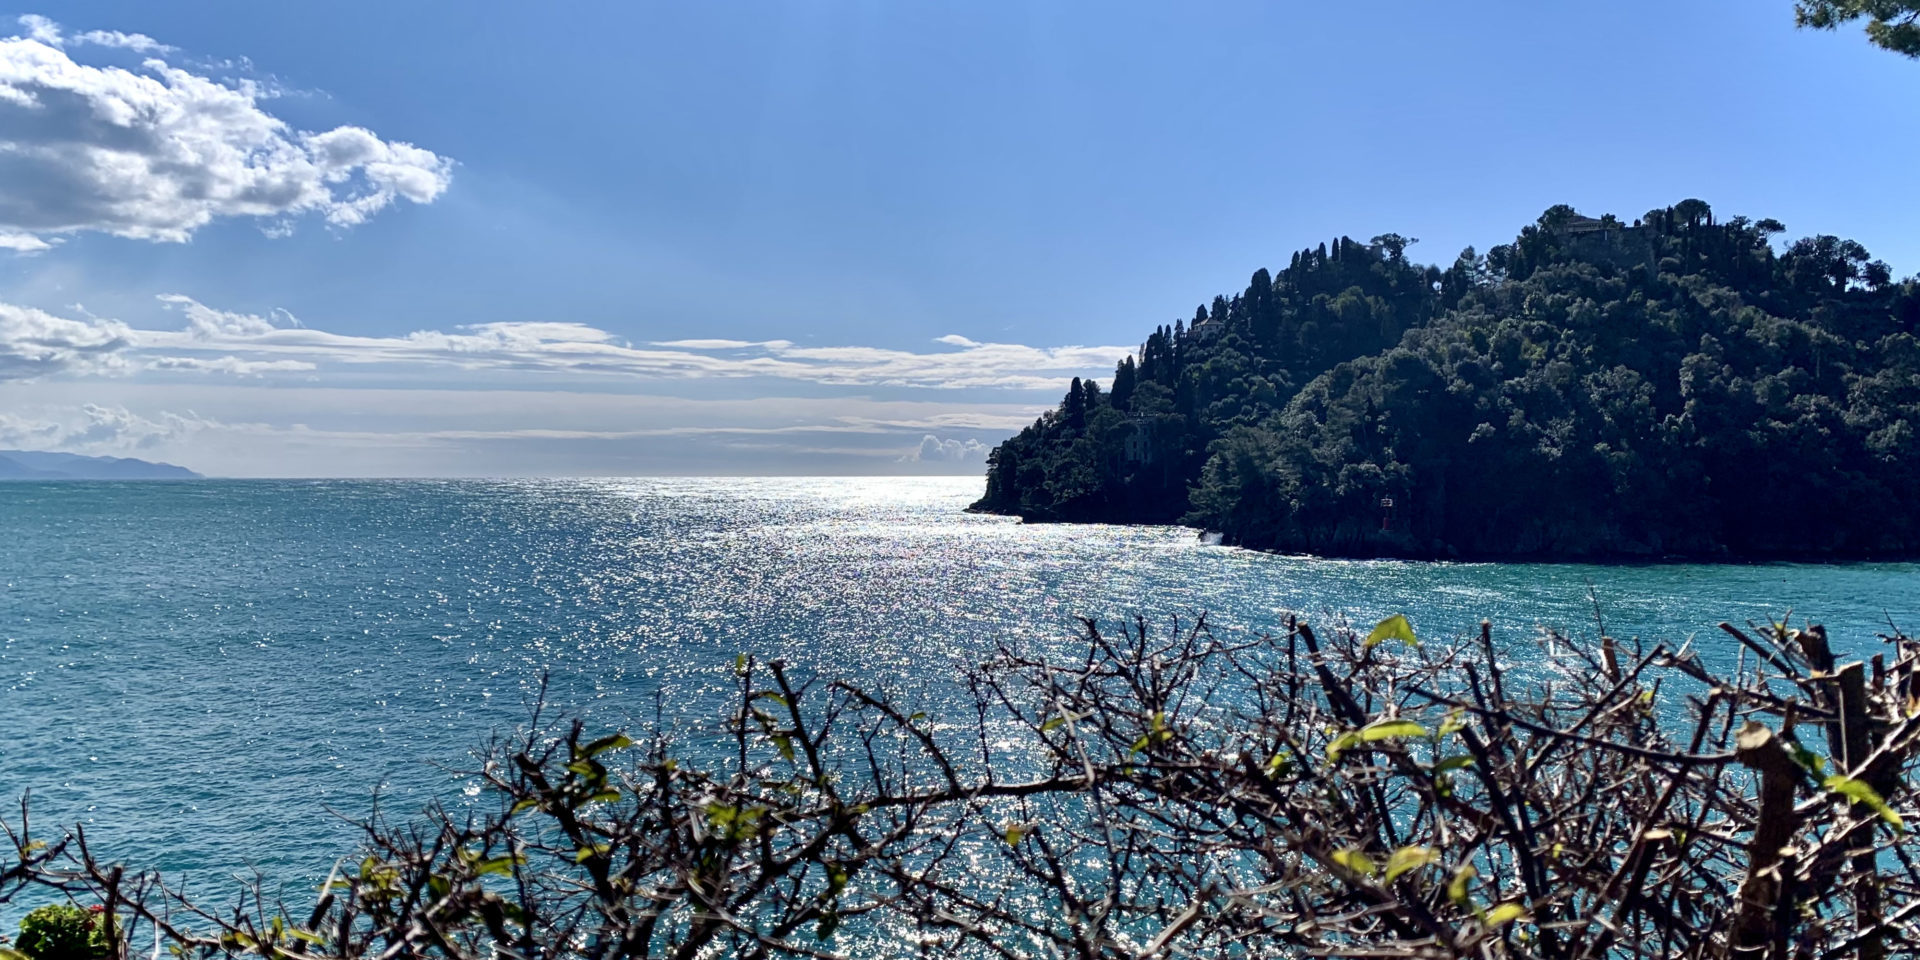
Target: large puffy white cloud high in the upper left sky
(156, 155)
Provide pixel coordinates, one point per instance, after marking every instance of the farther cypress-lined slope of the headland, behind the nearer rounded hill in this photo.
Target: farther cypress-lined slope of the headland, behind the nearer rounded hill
(1132, 452)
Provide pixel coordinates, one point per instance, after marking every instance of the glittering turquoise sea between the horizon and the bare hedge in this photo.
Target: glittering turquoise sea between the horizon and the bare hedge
(199, 671)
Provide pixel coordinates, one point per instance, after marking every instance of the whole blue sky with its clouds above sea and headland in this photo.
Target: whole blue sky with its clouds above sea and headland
(813, 237)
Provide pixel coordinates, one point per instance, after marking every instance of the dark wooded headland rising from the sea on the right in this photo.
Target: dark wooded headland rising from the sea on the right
(1591, 391)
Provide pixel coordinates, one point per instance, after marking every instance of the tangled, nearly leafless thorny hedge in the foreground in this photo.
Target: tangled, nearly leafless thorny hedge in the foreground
(1168, 794)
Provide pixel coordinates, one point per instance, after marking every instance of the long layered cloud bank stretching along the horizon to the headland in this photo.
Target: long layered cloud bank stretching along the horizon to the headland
(231, 393)
